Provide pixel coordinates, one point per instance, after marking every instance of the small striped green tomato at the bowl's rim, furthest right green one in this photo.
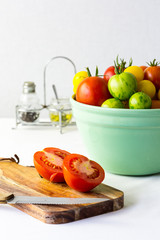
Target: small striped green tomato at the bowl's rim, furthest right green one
(140, 100)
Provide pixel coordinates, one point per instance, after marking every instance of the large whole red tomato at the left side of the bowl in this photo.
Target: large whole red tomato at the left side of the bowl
(92, 91)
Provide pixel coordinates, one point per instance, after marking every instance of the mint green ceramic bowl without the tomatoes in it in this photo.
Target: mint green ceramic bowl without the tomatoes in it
(122, 141)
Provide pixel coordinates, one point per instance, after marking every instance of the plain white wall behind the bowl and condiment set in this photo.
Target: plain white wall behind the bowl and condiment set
(89, 32)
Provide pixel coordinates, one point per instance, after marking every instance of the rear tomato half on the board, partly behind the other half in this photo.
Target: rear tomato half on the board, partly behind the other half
(48, 163)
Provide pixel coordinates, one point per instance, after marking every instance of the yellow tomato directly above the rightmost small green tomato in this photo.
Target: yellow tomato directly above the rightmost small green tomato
(147, 87)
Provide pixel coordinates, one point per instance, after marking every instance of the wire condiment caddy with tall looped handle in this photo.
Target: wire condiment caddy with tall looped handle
(29, 117)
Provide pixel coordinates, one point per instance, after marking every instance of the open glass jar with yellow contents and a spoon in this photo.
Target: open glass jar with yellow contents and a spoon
(60, 111)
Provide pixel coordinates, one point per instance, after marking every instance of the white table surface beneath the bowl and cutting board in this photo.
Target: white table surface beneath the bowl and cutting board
(139, 219)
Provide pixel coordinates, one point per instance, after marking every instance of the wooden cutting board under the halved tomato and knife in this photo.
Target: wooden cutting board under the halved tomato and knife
(21, 180)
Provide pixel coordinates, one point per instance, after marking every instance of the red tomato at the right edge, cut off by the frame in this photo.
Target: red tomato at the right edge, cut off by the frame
(153, 74)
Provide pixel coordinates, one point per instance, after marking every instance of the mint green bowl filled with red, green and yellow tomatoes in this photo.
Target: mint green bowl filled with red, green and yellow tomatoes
(121, 134)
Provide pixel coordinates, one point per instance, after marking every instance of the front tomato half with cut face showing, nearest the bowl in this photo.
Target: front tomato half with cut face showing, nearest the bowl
(82, 174)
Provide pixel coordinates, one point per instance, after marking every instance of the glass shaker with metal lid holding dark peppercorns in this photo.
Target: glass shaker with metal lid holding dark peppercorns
(29, 106)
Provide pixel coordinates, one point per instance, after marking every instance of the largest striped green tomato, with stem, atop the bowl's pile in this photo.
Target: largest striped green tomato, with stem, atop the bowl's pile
(122, 86)
